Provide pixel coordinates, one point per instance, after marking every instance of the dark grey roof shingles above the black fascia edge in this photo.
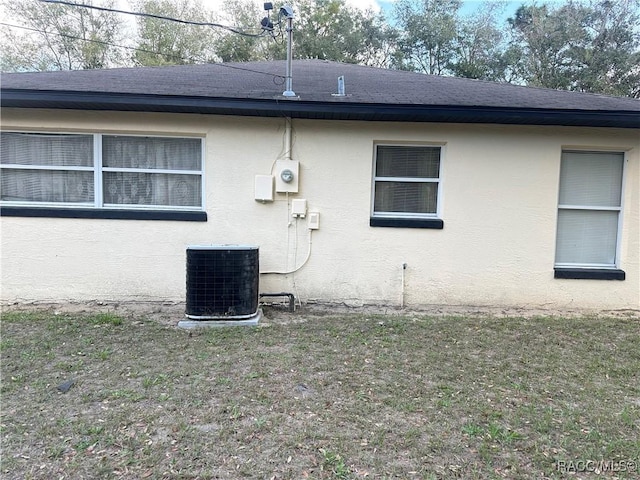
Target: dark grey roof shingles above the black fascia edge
(313, 81)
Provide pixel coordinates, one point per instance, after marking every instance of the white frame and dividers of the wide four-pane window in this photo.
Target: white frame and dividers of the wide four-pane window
(98, 169)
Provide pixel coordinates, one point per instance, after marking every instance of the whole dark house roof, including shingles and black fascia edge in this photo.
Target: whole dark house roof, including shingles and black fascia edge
(255, 88)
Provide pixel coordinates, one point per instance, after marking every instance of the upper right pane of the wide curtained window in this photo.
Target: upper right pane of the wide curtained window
(152, 153)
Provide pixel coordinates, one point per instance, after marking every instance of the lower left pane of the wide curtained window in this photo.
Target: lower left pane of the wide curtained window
(47, 186)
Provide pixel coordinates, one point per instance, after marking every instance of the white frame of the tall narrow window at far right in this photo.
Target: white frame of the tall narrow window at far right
(619, 209)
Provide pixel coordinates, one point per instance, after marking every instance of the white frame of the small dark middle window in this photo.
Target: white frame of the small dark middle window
(438, 181)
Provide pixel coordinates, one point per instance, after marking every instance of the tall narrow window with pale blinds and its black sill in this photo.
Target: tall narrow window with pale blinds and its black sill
(589, 207)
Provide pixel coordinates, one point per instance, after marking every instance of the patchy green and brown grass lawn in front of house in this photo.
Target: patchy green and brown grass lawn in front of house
(320, 397)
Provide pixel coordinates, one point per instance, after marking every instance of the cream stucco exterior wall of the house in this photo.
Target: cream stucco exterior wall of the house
(498, 203)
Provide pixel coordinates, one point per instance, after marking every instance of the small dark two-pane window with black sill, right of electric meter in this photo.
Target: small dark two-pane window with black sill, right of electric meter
(406, 186)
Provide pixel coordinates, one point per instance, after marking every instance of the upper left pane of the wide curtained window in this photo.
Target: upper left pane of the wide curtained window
(47, 149)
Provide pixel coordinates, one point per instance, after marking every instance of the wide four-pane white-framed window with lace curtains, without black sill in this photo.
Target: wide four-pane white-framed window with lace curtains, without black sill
(101, 171)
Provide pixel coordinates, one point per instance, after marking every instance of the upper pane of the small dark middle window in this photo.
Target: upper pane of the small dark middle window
(418, 162)
